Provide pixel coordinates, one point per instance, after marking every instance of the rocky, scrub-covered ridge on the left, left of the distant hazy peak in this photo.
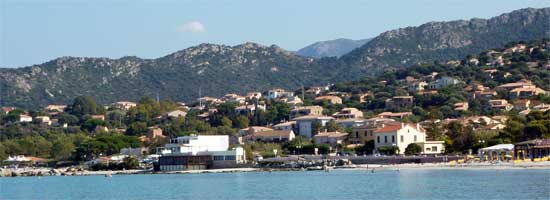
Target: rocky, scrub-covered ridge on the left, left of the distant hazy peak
(217, 69)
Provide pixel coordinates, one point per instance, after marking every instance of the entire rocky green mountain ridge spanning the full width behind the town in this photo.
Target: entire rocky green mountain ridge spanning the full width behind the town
(221, 69)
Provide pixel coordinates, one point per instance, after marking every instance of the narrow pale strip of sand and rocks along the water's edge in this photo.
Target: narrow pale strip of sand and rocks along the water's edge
(363, 167)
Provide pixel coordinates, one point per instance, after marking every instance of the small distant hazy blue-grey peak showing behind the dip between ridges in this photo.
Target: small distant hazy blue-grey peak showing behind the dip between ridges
(331, 48)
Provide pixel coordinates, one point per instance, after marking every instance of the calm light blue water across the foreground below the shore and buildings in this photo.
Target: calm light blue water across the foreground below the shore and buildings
(338, 184)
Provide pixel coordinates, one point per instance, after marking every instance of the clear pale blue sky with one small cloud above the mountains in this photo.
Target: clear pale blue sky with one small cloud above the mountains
(36, 31)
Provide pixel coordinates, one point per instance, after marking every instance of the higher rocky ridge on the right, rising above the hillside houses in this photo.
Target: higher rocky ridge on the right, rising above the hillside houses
(449, 40)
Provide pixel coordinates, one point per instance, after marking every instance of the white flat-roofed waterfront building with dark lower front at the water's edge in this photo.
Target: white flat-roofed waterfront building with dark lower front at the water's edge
(199, 152)
